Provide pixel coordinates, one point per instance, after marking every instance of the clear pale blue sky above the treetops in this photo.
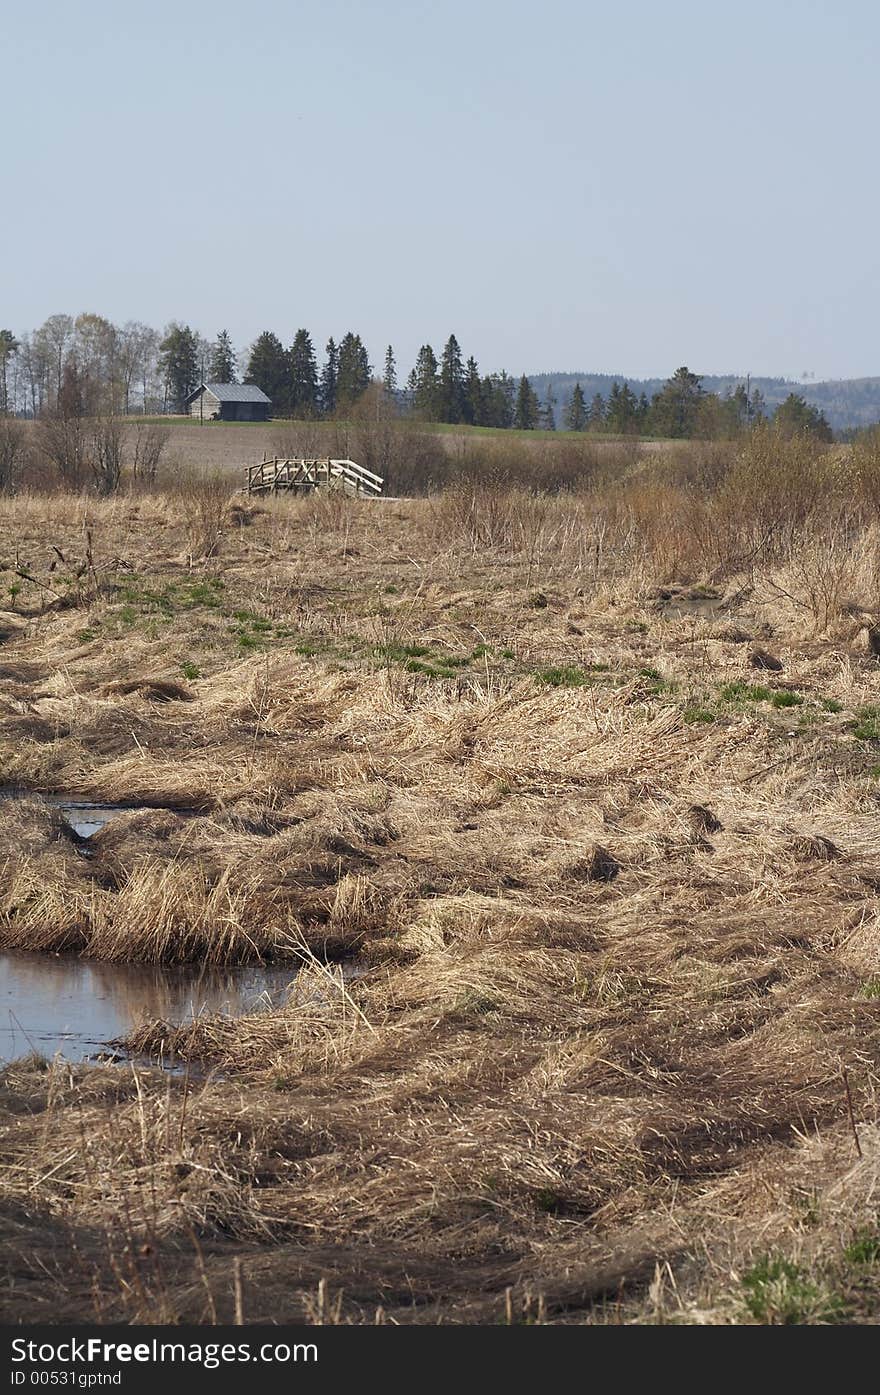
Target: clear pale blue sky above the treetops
(563, 185)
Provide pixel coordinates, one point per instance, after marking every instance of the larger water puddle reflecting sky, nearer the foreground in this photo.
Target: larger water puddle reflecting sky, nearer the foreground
(62, 1004)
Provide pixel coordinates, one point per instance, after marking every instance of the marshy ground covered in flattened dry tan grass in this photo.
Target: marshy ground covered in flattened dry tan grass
(613, 884)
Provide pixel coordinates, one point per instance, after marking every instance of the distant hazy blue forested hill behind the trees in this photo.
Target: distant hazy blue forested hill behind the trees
(850, 402)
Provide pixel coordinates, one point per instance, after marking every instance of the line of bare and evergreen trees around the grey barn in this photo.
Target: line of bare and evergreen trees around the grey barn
(87, 368)
